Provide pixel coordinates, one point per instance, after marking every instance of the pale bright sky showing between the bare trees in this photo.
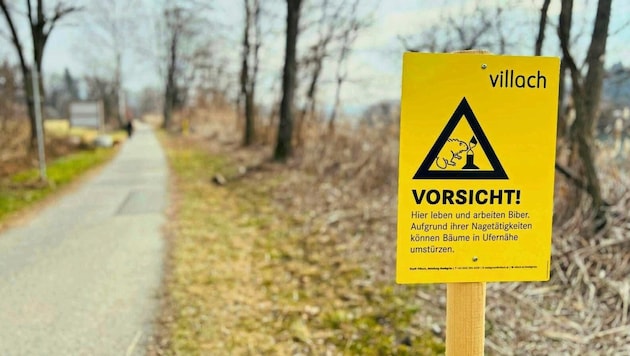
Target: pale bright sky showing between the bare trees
(374, 67)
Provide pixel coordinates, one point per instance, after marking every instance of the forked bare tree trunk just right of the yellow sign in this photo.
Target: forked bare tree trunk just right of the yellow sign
(586, 93)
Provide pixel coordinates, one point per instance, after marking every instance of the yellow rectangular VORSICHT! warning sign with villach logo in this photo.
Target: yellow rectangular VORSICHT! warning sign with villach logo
(476, 170)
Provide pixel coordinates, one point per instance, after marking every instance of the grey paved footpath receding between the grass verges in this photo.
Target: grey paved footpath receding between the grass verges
(82, 277)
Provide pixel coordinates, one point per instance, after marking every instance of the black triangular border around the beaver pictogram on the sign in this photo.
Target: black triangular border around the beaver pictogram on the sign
(463, 110)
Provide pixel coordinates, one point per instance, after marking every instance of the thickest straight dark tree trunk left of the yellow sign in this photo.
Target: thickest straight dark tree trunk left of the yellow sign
(285, 127)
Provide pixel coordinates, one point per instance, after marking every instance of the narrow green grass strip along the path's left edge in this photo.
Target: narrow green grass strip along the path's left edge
(25, 188)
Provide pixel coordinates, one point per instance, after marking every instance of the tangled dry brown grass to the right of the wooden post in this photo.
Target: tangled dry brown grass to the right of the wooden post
(583, 309)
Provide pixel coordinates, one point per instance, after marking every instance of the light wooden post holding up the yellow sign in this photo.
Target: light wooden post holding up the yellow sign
(465, 318)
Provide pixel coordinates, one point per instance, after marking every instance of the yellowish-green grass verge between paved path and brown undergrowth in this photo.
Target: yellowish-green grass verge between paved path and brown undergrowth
(244, 279)
